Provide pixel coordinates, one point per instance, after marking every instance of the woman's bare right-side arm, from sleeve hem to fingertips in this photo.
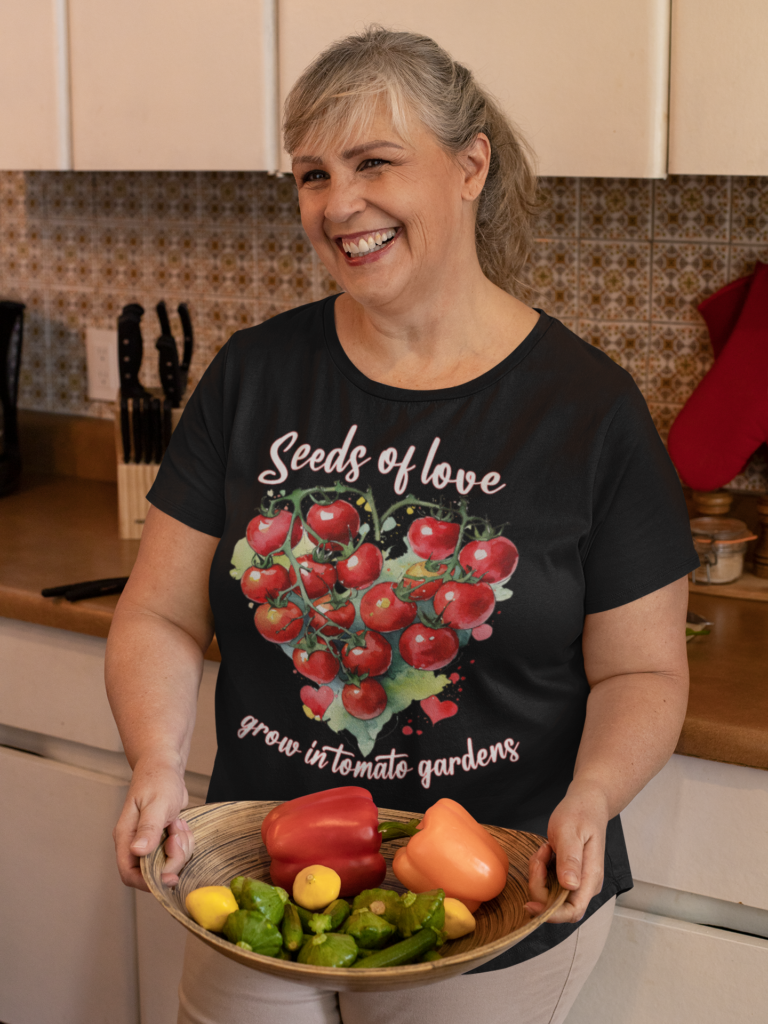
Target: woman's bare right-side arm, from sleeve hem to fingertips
(636, 665)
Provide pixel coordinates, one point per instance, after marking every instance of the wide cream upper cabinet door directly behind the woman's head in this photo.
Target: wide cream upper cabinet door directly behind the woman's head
(587, 80)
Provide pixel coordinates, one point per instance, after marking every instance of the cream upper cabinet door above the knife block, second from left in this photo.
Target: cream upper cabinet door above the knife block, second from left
(174, 86)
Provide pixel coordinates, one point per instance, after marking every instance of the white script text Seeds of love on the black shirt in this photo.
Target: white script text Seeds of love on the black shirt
(349, 460)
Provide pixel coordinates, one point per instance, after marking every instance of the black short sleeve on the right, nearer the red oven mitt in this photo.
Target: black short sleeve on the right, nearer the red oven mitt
(641, 539)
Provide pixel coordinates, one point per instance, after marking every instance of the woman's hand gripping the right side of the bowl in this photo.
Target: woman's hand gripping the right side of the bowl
(577, 839)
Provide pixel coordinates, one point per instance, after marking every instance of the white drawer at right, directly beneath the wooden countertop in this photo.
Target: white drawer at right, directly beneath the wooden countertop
(697, 828)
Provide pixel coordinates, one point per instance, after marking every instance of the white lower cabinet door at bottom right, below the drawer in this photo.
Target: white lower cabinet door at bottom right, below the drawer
(663, 971)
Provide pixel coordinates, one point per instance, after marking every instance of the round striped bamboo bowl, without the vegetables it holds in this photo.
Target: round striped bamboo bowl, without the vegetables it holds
(209, 824)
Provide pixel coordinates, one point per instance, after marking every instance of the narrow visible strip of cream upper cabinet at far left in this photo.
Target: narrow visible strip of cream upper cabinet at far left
(34, 96)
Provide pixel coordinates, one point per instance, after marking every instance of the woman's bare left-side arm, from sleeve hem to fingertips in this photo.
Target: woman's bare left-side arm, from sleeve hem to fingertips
(161, 630)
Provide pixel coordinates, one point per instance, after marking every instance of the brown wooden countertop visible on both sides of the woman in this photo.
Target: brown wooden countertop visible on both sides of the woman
(64, 530)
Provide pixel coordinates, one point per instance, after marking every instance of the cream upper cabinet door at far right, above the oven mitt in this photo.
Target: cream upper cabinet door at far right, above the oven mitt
(719, 88)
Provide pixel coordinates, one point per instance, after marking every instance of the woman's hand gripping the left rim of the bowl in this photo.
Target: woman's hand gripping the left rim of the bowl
(156, 797)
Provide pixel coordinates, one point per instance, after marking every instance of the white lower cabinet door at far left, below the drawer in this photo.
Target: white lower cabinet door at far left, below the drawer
(68, 940)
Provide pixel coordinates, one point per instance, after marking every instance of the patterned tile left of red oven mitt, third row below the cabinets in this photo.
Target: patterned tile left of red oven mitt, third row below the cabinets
(680, 356)
